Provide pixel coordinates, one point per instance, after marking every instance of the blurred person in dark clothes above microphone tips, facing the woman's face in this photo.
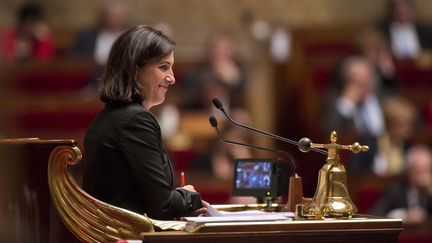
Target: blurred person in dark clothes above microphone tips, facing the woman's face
(219, 75)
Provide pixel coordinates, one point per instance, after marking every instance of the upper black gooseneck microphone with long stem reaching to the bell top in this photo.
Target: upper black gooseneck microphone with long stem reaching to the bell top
(303, 144)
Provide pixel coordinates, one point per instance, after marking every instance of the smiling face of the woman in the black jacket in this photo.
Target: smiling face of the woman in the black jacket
(155, 79)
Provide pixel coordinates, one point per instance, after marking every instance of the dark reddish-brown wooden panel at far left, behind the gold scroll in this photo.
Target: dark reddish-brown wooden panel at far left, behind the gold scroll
(26, 211)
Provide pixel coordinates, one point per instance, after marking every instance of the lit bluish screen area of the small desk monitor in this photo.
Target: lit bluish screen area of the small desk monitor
(251, 175)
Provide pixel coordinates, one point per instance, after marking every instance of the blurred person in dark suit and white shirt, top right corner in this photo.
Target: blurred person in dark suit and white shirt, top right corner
(406, 36)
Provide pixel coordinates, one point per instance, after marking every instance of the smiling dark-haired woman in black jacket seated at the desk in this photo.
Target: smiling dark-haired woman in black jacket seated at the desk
(126, 163)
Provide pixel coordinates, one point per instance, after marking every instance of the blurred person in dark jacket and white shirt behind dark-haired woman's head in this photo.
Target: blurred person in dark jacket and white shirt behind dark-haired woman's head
(94, 43)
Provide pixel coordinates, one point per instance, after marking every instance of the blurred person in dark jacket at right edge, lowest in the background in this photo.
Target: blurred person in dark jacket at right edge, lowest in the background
(411, 197)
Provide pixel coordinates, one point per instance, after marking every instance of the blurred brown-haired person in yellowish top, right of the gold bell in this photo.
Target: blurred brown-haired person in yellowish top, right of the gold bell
(400, 116)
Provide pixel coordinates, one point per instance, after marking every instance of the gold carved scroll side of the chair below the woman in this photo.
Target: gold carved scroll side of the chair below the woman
(88, 218)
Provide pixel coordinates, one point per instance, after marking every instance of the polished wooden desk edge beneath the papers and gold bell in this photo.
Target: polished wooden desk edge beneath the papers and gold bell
(357, 230)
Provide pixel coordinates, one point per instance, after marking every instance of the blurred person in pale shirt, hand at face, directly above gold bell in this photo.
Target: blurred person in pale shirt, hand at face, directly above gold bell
(357, 109)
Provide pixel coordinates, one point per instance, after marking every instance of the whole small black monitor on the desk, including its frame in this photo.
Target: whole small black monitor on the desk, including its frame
(255, 177)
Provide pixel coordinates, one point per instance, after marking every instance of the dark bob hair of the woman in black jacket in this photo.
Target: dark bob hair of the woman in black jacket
(133, 49)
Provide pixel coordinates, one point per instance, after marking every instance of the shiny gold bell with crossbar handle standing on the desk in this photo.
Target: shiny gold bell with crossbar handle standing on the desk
(331, 199)
